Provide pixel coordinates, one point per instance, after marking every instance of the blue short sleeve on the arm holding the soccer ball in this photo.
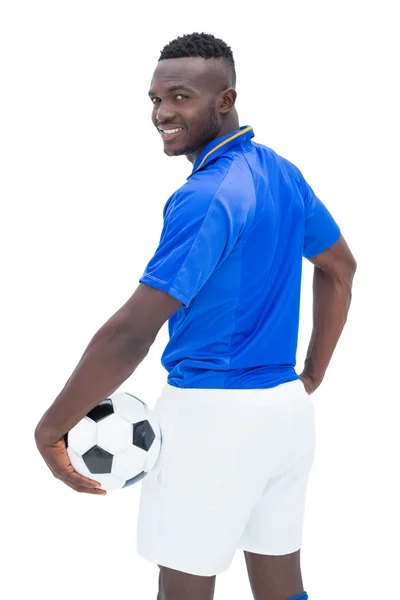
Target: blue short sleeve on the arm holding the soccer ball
(199, 232)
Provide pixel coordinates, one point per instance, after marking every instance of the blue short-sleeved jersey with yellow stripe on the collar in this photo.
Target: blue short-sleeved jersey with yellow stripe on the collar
(231, 251)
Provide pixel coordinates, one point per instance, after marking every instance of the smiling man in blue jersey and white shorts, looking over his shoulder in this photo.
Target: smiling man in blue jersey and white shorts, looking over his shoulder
(237, 420)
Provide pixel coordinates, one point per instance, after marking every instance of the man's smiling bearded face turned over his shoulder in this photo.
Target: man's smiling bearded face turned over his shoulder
(184, 93)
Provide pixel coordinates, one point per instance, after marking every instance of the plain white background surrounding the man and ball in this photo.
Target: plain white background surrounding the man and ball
(83, 184)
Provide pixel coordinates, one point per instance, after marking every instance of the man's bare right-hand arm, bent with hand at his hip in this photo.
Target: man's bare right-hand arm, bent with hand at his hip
(333, 277)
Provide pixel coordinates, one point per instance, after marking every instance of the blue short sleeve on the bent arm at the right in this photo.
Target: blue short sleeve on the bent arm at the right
(321, 230)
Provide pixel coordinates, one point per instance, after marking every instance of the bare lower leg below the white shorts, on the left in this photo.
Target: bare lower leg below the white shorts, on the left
(175, 585)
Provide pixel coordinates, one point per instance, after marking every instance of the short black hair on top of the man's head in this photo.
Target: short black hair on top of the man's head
(204, 45)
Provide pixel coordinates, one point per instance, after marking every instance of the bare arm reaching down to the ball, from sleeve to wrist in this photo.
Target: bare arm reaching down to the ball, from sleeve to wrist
(111, 357)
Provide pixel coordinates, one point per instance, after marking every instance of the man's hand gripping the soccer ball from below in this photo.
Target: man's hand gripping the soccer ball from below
(56, 457)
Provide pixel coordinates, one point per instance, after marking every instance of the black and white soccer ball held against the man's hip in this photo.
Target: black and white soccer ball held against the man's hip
(117, 442)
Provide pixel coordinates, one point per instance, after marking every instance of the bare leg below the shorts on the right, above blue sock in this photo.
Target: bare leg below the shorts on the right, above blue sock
(274, 577)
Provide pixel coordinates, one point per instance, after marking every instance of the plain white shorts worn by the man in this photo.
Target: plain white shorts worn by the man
(232, 474)
